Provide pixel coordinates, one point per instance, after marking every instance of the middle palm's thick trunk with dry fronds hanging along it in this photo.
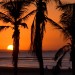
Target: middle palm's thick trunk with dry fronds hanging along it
(38, 35)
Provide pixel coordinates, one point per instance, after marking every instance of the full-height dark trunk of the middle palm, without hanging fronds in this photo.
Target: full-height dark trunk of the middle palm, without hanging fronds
(39, 38)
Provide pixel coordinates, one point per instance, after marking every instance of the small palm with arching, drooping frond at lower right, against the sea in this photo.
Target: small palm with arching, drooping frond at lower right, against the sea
(60, 54)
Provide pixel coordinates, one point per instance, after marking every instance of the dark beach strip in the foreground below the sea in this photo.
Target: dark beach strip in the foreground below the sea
(31, 71)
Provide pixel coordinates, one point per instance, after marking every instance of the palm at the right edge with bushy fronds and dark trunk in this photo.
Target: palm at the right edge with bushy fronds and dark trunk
(67, 20)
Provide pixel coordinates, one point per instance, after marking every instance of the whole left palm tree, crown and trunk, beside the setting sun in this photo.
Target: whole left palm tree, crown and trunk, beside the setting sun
(14, 9)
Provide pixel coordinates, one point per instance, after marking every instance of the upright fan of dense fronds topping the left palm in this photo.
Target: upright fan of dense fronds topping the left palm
(16, 8)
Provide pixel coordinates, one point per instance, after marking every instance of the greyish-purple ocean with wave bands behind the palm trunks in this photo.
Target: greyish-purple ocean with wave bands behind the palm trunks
(26, 59)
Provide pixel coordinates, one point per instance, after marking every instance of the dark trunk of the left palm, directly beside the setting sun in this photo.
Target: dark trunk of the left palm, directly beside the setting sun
(15, 49)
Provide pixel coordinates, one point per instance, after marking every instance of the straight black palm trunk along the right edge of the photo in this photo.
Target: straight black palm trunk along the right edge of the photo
(73, 41)
